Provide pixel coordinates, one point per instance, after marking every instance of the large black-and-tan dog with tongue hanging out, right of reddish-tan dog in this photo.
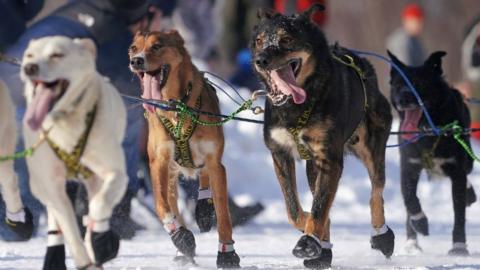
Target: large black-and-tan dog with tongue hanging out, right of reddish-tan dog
(321, 102)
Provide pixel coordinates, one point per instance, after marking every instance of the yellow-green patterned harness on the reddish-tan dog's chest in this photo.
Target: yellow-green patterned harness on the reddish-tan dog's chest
(183, 154)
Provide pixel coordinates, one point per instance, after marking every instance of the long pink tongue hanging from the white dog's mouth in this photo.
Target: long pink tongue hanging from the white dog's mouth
(39, 107)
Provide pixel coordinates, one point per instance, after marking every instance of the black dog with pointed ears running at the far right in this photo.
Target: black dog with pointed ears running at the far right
(436, 155)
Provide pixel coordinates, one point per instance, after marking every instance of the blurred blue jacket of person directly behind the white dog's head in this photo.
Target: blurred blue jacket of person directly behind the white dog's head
(112, 49)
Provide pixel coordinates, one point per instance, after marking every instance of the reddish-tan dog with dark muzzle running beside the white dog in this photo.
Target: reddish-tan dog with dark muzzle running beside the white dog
(177, 145)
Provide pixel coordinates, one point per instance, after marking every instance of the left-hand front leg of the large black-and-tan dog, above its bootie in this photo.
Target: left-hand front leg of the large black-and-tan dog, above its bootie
(284, 166)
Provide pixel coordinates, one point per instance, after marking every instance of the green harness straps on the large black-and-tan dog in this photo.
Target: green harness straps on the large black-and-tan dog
(303, 150)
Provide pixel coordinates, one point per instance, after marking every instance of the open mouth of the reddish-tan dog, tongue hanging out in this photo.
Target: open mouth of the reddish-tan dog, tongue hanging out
(153, 83)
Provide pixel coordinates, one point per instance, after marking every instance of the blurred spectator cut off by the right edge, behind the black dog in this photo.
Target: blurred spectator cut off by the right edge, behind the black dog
(471, 70)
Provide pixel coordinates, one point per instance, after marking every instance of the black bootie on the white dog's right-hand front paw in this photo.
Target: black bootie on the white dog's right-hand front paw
(105, 246)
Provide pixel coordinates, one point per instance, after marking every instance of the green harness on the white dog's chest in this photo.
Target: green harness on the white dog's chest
(71, 160)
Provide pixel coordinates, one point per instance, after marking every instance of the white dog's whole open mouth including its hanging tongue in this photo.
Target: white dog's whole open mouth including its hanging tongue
(45, 96)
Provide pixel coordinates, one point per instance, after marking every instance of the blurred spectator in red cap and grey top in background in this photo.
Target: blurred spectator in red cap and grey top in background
(405, 42)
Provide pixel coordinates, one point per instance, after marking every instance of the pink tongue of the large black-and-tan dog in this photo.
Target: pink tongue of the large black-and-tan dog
(284, 79)
